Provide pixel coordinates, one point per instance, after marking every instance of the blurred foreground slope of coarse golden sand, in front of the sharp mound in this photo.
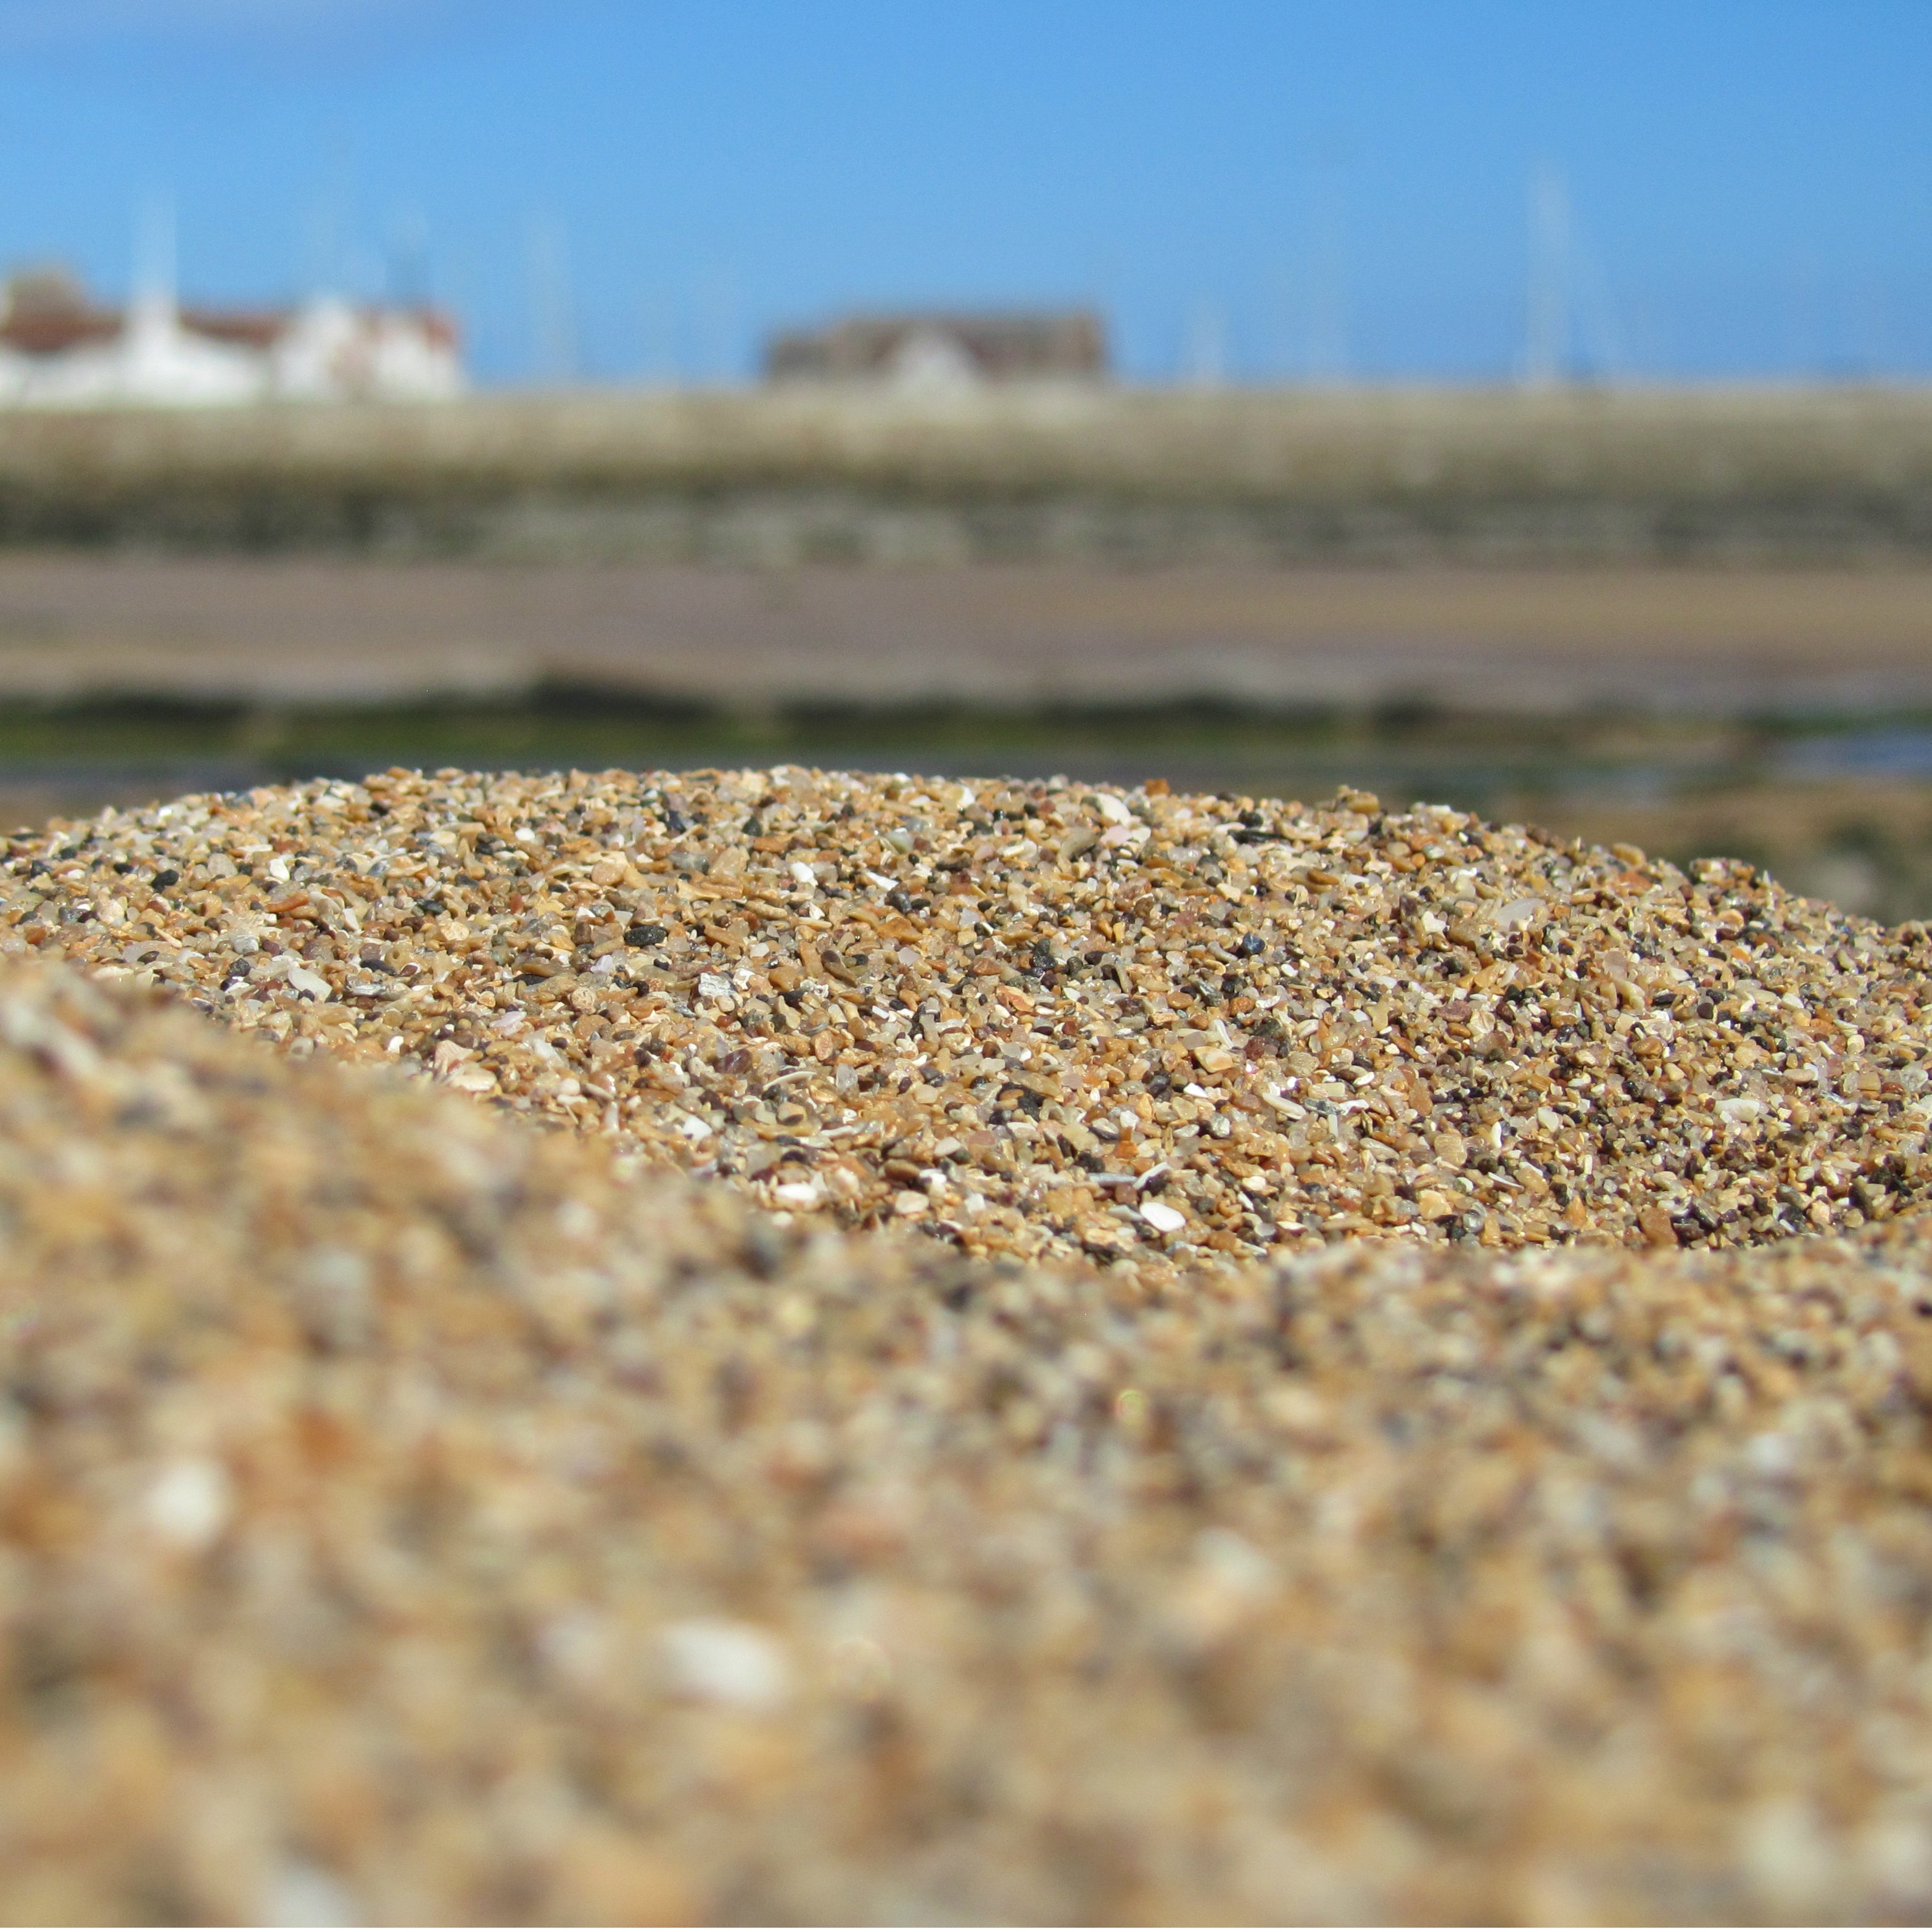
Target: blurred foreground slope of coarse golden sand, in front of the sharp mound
(412, 1518)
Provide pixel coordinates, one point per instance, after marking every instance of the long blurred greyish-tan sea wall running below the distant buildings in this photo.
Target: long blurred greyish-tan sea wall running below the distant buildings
(1056, 474)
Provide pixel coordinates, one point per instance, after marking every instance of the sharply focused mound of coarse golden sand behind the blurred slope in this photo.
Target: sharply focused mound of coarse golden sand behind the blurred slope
(1048, 1019)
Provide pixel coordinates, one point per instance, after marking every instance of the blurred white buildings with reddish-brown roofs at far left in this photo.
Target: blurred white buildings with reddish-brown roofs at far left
(63, 353)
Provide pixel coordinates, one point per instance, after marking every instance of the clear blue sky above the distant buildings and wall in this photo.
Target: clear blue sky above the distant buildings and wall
(1276, 190)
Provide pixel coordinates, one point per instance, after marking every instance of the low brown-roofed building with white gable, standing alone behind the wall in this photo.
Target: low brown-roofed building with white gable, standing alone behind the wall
(944, 351)
